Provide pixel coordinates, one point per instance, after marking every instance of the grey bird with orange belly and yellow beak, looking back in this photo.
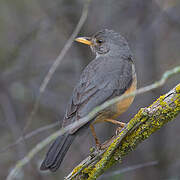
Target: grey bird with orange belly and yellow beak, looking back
(111, 74)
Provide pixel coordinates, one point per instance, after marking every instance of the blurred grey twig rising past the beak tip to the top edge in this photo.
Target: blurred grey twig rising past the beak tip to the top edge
(58, 61)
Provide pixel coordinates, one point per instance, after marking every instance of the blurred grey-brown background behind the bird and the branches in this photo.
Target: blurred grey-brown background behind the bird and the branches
(32, 34)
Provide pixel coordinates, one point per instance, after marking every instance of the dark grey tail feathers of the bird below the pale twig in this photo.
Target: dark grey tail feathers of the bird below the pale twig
(56, 152)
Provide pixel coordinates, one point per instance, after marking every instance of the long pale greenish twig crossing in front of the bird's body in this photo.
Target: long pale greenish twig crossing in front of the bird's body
(84, 120)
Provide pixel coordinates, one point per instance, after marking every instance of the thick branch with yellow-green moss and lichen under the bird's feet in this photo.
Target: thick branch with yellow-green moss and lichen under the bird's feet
(145, 122)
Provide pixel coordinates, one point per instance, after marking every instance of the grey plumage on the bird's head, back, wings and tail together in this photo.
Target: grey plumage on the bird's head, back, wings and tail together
(110, 74)
